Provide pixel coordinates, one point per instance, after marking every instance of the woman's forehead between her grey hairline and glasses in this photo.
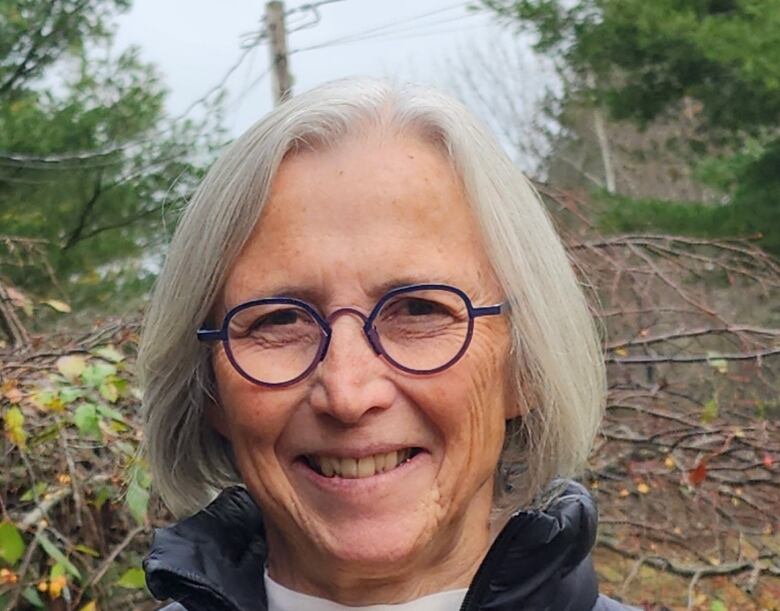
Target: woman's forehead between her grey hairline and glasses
(372, 207)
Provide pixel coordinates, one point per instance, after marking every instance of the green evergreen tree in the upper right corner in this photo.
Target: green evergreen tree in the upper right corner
(645, 61)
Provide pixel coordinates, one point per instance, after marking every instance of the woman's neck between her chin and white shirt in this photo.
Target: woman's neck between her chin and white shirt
(425, 570)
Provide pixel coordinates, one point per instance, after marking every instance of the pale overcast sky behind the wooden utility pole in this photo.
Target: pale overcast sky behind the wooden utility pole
(195, 43)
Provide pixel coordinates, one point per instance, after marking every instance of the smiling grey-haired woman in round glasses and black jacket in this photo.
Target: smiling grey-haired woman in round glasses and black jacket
(367, 326)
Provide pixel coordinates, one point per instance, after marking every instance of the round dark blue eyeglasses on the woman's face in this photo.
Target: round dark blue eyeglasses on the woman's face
(419, 329)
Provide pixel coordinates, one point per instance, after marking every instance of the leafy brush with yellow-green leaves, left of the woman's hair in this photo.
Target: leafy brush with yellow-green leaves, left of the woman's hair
(68, 416)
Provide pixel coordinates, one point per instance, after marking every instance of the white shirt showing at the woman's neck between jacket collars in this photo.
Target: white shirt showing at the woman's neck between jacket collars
(284, 599)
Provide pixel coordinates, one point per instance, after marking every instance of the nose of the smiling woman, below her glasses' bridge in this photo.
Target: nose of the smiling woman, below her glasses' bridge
(352, 379)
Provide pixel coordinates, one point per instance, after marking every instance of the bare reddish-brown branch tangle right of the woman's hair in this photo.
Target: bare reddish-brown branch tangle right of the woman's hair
(686, 470)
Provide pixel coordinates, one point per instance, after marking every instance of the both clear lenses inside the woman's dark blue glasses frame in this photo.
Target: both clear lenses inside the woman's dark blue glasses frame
(420, 330)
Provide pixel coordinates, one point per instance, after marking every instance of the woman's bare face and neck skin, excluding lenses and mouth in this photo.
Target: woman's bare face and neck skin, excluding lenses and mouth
(340, 223)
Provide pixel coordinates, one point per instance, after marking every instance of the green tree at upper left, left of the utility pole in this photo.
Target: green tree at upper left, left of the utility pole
(88, 160)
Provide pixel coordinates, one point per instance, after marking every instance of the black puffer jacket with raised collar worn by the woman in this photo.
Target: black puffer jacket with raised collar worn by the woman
(540, 561)
